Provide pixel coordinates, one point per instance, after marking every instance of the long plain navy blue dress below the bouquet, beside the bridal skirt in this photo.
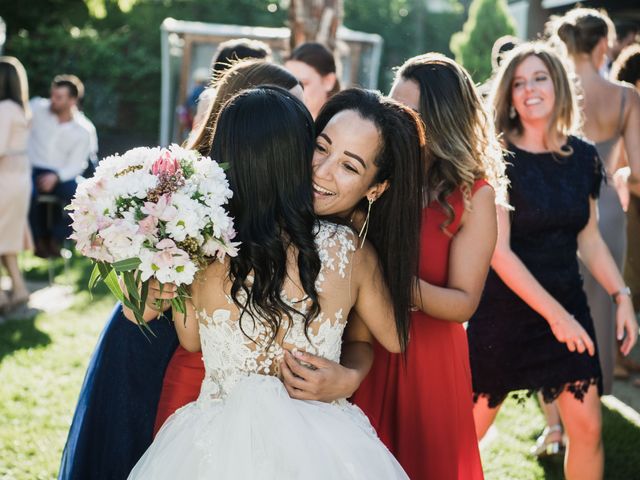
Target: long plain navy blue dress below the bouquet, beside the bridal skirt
(113, 421)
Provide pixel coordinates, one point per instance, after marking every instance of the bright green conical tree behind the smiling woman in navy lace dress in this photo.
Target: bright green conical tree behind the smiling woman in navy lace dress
(488, 20)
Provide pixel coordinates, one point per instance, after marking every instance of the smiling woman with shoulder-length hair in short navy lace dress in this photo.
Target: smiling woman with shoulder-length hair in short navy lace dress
(533, 329)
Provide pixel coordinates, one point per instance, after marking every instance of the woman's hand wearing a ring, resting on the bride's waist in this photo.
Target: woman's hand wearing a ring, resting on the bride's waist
(323, 380)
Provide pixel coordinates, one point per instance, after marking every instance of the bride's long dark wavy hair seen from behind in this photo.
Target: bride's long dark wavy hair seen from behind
(267, 136)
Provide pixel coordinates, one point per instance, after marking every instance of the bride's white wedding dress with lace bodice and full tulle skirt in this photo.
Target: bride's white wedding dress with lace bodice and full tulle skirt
(244, 425)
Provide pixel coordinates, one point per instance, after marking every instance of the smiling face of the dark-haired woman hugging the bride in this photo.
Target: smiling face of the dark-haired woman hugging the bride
(343, 164)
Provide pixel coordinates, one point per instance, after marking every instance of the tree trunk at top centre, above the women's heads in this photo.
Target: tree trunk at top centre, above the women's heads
(315, 21)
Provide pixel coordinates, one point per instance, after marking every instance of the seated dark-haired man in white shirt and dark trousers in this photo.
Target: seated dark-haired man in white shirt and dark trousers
(60, 144)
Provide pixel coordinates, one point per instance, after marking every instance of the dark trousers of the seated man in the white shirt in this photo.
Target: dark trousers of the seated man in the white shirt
(54, 223)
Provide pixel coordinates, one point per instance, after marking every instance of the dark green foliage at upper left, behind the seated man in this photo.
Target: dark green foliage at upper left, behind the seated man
(117, 56)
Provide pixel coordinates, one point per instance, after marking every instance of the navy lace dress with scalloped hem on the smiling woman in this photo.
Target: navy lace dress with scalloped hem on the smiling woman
(511, 346)
